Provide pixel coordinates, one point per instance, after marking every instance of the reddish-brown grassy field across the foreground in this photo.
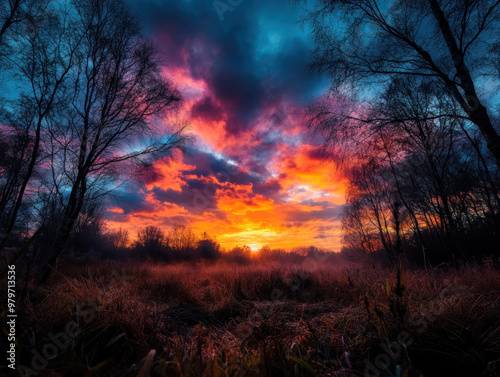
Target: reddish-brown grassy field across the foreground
(113, 319)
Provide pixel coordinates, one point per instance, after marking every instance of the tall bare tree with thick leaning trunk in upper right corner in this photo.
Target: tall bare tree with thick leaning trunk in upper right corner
(364, 43)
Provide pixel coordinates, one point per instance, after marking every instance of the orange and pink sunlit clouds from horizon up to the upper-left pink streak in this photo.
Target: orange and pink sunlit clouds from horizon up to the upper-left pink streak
(289, 198)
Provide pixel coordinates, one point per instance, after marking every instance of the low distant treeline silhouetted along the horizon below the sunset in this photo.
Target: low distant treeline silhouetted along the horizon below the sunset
(181, 244)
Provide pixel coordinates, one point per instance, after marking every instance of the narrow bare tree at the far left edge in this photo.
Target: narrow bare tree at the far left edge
(46, 56)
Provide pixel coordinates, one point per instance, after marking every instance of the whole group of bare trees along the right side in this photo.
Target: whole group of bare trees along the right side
(412, 121)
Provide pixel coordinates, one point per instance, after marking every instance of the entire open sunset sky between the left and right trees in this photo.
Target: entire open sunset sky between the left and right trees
(254, 175)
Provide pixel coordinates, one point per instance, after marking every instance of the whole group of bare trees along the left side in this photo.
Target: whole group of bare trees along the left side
(83, 108)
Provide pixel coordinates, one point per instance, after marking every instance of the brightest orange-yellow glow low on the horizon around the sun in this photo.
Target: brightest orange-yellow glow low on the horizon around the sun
(241, 217)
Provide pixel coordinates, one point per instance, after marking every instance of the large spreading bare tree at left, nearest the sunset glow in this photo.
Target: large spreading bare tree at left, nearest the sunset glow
(117, 111)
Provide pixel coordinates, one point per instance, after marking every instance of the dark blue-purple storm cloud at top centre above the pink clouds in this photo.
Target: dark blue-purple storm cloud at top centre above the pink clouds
(251, 59)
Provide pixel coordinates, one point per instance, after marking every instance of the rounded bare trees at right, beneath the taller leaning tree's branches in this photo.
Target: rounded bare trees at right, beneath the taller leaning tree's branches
(431, 165)
